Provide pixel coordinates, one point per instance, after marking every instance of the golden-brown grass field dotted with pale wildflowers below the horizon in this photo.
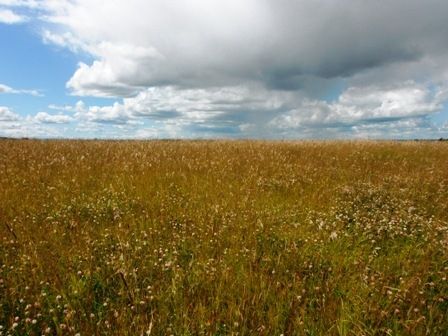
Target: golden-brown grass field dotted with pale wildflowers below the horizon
(223, 238)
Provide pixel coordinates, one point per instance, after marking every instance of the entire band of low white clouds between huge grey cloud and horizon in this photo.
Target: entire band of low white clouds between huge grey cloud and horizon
(257, 112)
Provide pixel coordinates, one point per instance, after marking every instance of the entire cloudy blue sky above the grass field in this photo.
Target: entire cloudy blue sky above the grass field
(268, 69)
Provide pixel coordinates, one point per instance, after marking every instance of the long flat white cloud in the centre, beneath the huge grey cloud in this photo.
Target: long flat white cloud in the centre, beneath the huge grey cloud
(188, 105)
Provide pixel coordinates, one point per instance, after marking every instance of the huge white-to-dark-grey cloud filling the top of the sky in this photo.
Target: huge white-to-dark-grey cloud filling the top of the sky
(207, 43)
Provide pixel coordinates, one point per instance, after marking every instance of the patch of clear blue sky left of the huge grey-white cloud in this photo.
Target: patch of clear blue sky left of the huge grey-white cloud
(31, 64)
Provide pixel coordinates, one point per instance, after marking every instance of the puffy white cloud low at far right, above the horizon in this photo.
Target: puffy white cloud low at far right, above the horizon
(363, 105)
